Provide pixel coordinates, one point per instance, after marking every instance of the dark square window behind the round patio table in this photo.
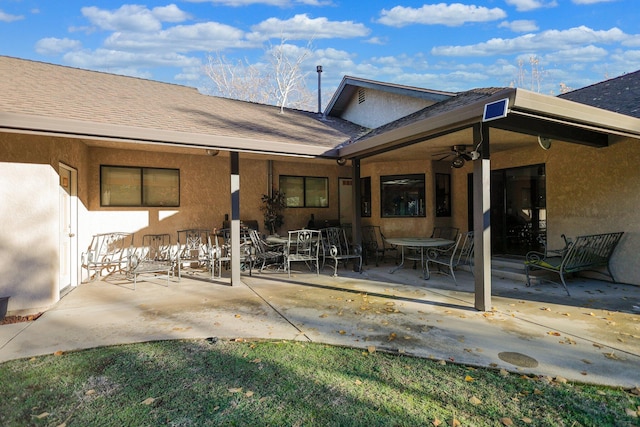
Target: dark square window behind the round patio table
(402, 195)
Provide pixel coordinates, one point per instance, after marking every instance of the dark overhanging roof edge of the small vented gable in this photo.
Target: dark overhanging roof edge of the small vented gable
(350, 85)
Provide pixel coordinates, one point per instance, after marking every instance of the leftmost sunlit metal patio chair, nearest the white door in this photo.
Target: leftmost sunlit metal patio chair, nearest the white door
(107, 253)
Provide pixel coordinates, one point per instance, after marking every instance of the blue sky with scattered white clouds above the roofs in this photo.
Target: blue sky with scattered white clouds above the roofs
(450, 46)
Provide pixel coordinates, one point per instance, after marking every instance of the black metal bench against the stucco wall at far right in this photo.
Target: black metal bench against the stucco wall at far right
(585, 253)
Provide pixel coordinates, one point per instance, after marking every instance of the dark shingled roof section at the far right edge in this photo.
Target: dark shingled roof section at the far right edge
(620, 94)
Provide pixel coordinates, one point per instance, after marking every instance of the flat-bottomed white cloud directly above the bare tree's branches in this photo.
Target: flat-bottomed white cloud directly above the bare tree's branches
(301, 27)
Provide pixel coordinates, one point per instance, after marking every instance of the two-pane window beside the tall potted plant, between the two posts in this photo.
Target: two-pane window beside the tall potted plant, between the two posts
(305, 191)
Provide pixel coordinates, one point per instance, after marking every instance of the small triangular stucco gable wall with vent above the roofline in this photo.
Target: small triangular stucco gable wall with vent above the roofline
(380, 108)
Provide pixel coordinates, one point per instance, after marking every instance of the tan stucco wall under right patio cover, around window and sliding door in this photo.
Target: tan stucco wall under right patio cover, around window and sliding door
(588, 190)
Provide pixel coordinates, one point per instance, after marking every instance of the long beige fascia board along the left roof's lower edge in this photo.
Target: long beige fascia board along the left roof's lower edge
(21, 123)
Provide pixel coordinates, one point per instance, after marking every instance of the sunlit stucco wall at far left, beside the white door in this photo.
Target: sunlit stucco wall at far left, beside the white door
(29, 218)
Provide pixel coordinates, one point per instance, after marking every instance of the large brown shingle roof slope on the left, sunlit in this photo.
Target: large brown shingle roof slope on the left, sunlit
(54, 91)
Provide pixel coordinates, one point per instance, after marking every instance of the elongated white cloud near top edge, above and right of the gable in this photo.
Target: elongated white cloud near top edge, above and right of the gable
(452, 15)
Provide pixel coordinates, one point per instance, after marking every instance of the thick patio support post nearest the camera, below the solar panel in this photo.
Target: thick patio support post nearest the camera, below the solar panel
(482, 219)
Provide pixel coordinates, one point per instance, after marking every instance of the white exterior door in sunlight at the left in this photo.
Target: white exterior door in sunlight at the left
(68, 227)
